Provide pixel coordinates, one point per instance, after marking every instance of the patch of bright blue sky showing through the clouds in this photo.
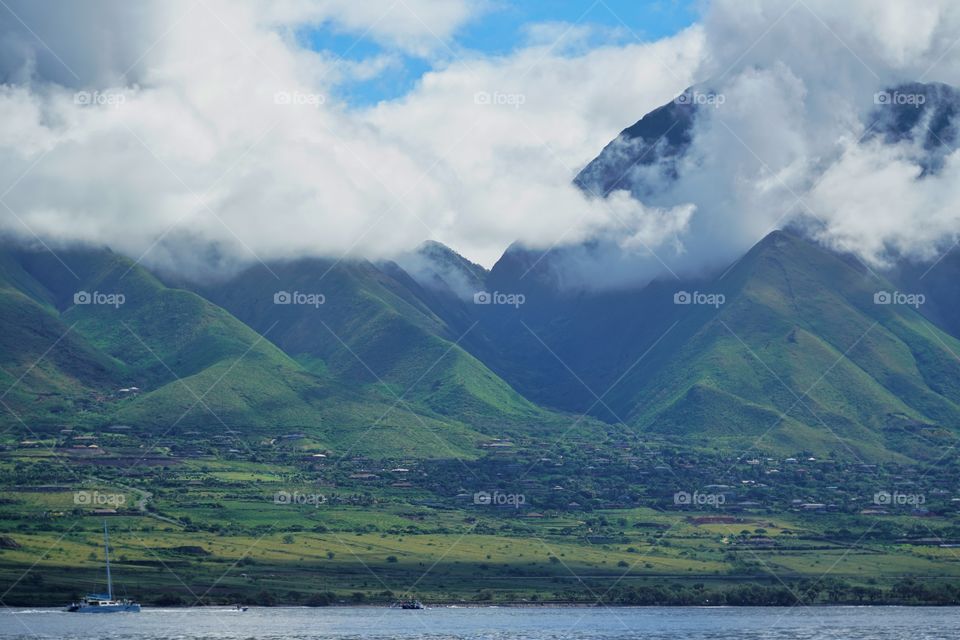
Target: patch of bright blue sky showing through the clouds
(504, 27)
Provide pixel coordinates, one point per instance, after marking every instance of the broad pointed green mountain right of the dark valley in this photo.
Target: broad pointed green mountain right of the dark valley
(801, 353)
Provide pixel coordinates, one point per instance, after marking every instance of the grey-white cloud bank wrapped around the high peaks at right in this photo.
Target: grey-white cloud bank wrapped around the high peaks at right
(794, 99)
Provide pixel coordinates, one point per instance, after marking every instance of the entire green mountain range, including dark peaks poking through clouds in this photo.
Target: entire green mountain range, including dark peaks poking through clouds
(792, 348)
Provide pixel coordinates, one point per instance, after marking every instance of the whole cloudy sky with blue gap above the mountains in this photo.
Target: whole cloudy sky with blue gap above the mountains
(204, 135)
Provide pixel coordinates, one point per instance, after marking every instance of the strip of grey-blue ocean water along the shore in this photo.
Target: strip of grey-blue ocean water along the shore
(491, 623)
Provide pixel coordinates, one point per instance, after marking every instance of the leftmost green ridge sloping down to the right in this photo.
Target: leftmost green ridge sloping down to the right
(195, 366)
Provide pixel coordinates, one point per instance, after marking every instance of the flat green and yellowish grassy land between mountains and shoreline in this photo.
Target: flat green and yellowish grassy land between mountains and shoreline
(294, 531)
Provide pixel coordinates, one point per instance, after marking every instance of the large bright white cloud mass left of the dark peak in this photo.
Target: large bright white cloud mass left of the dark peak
(198, 147)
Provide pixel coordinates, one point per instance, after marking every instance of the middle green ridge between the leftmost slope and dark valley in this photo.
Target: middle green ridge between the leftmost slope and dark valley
(373, 330)
